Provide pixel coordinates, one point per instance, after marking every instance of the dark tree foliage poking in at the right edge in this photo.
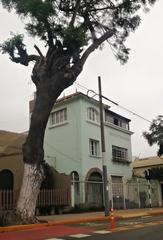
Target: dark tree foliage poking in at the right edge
(155, 134)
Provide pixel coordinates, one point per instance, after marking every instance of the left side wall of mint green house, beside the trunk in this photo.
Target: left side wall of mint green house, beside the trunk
(62, 143)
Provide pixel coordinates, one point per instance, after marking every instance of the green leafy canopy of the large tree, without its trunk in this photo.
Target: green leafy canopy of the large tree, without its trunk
(77, 23)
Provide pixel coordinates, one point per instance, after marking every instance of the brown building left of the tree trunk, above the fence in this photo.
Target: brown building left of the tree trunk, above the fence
(11, 160)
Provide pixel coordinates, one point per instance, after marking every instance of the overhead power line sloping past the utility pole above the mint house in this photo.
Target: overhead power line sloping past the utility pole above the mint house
(113, 102)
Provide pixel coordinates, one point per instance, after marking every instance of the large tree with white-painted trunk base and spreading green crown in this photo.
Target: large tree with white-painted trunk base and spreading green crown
(71, 31)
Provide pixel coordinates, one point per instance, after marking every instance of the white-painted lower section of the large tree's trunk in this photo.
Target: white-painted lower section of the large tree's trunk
(31, 184)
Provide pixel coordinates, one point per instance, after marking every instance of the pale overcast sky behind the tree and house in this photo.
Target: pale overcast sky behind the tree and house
(137, 86)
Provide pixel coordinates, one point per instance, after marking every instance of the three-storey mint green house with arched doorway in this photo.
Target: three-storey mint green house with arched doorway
(73, 144)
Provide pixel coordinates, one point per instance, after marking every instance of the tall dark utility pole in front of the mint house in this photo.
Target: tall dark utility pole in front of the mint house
(104, 168)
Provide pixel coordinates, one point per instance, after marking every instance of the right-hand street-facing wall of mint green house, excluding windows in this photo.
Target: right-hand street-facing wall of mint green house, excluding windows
(113, 136)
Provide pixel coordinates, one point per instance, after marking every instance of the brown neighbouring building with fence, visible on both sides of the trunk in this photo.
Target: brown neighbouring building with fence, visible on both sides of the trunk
(11, 174)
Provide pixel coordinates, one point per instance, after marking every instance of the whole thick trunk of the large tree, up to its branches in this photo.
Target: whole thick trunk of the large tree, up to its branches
(50, 78)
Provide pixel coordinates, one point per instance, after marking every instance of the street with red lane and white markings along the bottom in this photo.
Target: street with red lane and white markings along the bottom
(142, 228)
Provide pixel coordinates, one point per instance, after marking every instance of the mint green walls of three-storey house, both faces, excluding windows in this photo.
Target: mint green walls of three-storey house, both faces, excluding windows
(67, 146)
